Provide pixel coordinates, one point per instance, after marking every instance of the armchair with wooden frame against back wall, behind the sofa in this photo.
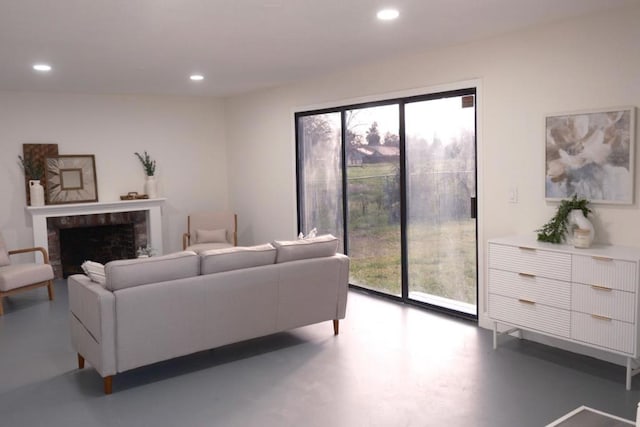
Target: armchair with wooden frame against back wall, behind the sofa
(210, 230)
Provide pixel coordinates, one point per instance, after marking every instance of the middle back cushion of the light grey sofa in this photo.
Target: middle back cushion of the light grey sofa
(235, 258)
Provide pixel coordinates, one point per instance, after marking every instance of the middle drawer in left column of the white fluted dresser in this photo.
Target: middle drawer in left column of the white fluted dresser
(551, 292)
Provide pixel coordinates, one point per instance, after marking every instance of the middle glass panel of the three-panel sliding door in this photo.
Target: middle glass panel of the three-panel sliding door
(373, 195)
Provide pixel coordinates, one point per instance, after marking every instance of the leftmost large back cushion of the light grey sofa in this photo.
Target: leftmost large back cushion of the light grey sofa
(141, 271)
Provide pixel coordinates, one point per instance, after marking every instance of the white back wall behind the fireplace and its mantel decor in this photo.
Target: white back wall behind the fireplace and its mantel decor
(184, 135)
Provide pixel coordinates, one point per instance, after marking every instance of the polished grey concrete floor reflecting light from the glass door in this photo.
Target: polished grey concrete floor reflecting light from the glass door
(391, 365)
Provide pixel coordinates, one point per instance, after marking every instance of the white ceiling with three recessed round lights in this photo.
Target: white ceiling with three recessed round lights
(152, 46)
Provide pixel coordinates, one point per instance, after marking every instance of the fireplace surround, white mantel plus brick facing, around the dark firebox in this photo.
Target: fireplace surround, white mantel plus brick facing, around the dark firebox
(47, 220)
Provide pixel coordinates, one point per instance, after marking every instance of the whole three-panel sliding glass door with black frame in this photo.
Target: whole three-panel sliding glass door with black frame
(395, 181)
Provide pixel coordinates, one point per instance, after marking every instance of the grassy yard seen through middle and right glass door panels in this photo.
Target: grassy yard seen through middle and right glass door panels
(441, 256)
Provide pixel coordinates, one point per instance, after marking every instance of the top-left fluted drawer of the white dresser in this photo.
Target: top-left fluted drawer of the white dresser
(524, 259)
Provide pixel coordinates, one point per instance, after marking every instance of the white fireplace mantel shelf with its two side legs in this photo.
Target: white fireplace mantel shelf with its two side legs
(153, 207)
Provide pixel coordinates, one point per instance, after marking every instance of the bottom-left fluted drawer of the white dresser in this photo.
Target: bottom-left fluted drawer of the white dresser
(537, 317)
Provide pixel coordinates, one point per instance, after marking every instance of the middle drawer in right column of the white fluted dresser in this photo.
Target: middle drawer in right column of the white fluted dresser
(601, 301)
